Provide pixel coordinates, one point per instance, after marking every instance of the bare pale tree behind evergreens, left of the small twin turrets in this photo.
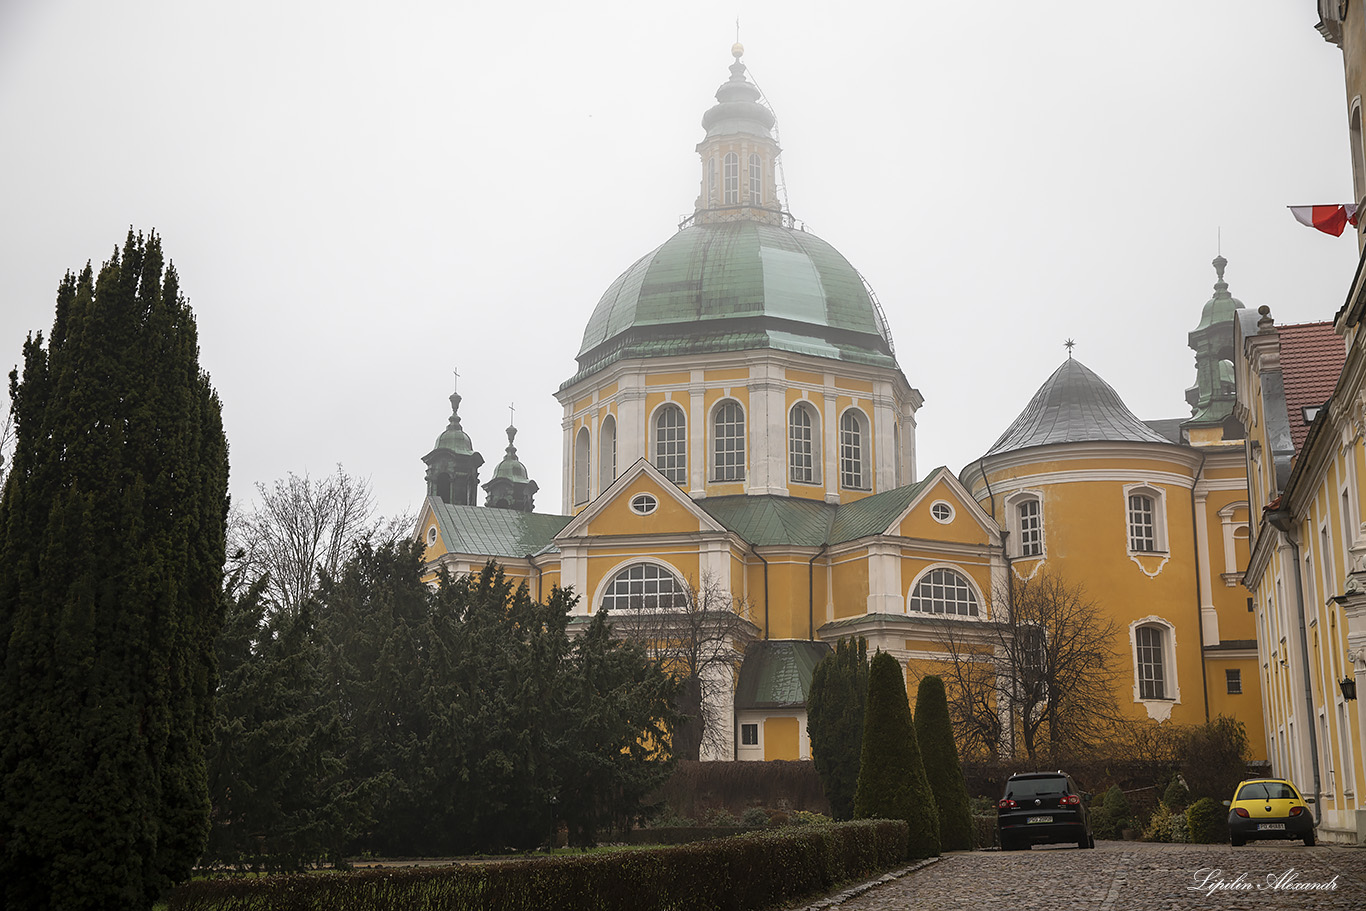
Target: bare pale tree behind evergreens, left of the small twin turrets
(303, 527)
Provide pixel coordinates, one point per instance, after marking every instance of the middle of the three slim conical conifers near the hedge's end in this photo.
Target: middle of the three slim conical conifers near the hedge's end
(891, 779)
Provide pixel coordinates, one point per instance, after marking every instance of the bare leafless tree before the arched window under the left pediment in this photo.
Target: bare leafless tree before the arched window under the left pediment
(699, 636)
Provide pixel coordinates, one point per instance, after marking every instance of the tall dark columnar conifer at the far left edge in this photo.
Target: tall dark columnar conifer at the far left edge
(111, 570)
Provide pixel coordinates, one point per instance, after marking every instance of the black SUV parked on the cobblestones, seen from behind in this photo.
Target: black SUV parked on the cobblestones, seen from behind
(1043, 808)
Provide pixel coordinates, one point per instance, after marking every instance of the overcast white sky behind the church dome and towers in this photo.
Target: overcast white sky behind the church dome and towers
(361, 197)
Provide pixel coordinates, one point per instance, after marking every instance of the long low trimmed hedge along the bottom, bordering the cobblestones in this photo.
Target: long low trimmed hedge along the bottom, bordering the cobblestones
(745, 872)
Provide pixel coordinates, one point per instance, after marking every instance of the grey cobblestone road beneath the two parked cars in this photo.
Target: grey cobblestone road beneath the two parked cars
(1129, 875)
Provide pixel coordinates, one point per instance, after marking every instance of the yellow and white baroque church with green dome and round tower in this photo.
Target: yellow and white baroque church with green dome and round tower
(740, 431)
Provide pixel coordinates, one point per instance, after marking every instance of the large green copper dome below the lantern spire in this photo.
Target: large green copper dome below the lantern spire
(738, 286)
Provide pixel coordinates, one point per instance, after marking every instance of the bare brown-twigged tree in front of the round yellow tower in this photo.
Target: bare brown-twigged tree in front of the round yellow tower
(1040, 675)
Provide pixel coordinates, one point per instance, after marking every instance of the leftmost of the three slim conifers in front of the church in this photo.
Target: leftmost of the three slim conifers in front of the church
(835, 722)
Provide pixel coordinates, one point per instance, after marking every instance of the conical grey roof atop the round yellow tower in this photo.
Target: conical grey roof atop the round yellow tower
(1074, 406)
